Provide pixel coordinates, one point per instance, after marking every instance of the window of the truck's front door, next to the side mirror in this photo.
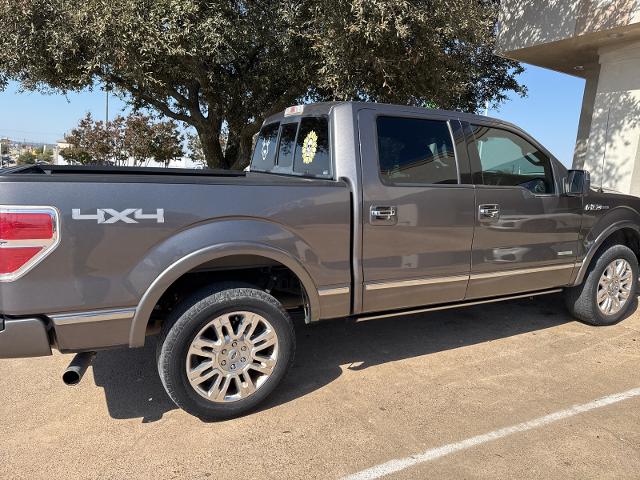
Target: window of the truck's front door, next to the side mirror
(506, 159)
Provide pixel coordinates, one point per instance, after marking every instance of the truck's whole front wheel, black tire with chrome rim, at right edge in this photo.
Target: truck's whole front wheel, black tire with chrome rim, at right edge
(609, 291)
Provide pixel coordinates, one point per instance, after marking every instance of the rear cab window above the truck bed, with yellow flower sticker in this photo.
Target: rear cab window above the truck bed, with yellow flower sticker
(297, 146)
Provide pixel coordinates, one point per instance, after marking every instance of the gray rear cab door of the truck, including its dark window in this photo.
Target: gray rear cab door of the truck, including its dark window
(418, 217)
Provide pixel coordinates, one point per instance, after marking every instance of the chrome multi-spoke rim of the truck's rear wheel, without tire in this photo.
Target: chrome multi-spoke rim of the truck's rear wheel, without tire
(232, 356)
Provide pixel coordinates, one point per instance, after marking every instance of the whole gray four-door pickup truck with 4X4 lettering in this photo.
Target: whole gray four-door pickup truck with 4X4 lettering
(349, 209)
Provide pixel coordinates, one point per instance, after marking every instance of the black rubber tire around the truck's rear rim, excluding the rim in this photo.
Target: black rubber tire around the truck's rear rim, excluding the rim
(190, 318)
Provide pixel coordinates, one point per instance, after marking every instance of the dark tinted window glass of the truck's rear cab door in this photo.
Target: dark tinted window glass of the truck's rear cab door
(415, 151)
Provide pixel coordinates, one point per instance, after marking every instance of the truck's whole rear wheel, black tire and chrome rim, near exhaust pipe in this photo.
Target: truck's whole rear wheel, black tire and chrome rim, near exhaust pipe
(225, 351)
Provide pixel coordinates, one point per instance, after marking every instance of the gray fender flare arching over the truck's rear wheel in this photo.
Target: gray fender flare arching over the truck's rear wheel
(203, 255)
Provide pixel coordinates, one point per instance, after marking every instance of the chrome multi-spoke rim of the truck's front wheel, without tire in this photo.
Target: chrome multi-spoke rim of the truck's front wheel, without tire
(614, 287)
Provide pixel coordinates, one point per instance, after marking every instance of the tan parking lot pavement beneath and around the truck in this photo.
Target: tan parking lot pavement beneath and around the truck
(360, 395)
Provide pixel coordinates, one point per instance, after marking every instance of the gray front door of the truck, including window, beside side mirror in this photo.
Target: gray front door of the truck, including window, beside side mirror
(526, 233)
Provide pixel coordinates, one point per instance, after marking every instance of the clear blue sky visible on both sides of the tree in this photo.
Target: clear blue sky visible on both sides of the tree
(549, 113)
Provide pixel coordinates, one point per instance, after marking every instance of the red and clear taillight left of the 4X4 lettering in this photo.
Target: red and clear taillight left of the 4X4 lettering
(27, 236)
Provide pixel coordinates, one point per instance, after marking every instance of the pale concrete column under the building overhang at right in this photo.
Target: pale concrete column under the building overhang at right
(612, 154)
